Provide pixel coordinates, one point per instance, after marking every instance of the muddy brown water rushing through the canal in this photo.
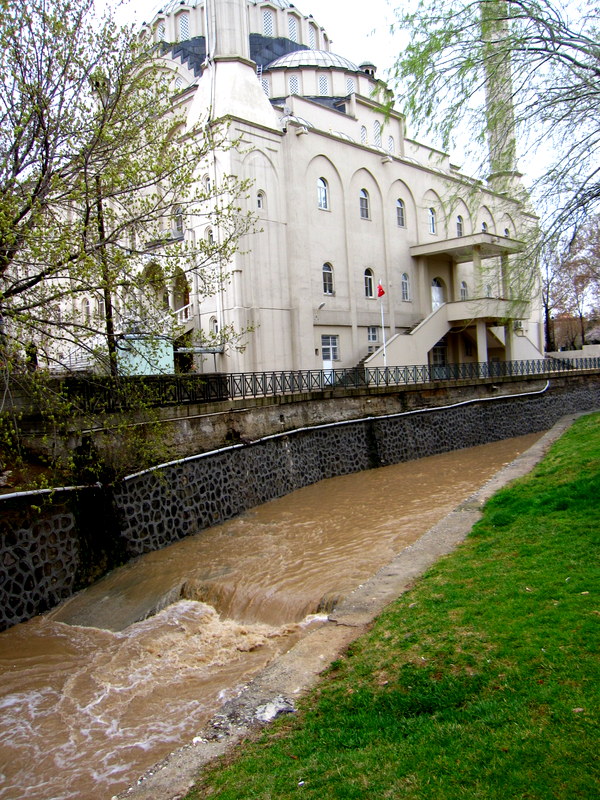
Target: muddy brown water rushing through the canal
(90, 696)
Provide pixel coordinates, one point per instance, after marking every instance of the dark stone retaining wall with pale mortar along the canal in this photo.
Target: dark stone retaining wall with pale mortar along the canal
(52, 544)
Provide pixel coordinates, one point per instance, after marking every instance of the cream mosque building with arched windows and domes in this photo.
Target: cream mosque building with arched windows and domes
(365, 236)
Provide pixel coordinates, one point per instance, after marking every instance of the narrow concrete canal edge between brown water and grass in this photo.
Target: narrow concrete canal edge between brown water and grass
(297, 670)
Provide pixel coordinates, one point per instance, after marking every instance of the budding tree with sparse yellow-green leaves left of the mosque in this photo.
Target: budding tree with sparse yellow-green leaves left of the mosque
(98, 182)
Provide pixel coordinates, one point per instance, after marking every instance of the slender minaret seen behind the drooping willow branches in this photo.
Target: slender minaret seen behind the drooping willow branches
(500, 117)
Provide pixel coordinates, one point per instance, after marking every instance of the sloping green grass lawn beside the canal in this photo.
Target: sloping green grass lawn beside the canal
(481, 682)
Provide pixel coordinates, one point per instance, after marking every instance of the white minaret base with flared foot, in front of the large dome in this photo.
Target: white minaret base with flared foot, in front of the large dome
(229, 86)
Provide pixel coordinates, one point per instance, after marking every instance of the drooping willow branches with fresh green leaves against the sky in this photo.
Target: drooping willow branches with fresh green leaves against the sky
(513, 72)
